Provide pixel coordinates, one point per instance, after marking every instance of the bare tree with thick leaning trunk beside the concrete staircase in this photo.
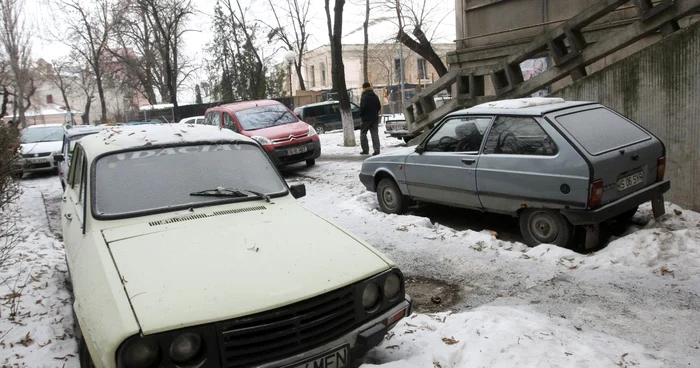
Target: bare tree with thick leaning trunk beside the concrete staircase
(417, 14)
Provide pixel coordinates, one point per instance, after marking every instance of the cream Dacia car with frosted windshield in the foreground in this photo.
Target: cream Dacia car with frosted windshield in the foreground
(186, 248)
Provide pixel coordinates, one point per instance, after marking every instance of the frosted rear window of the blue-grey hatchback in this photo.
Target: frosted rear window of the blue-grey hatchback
(601, 130)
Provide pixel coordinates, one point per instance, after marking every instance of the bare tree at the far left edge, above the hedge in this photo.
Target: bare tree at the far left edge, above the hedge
(15, 39)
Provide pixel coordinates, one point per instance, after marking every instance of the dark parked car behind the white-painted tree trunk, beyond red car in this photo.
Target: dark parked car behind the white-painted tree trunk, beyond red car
(325, 116)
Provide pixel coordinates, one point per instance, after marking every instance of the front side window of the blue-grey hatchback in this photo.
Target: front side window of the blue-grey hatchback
(460, 134)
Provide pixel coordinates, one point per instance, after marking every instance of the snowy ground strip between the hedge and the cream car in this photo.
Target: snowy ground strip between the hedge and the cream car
(36, 328)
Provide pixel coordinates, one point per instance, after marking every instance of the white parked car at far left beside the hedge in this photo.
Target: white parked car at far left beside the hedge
(38, 146)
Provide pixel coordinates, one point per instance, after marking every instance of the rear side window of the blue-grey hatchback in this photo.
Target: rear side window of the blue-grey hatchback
(519, 136)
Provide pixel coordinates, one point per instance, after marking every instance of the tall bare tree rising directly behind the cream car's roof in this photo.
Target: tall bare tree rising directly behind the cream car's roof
(168, 19)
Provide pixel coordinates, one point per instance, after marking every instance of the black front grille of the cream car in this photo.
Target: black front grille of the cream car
(264, 337)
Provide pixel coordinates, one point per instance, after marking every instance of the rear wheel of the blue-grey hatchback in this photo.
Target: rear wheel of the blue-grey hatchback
(540, 226)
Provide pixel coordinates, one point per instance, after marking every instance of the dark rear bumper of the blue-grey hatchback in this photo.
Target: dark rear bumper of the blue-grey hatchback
(610, 210)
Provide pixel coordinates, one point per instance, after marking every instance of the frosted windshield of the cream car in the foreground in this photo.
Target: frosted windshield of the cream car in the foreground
(161, 179)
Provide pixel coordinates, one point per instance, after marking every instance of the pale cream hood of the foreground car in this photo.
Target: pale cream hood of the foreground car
(197, 271)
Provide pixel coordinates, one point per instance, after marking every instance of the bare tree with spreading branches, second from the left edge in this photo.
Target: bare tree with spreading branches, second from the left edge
(89, 26)
